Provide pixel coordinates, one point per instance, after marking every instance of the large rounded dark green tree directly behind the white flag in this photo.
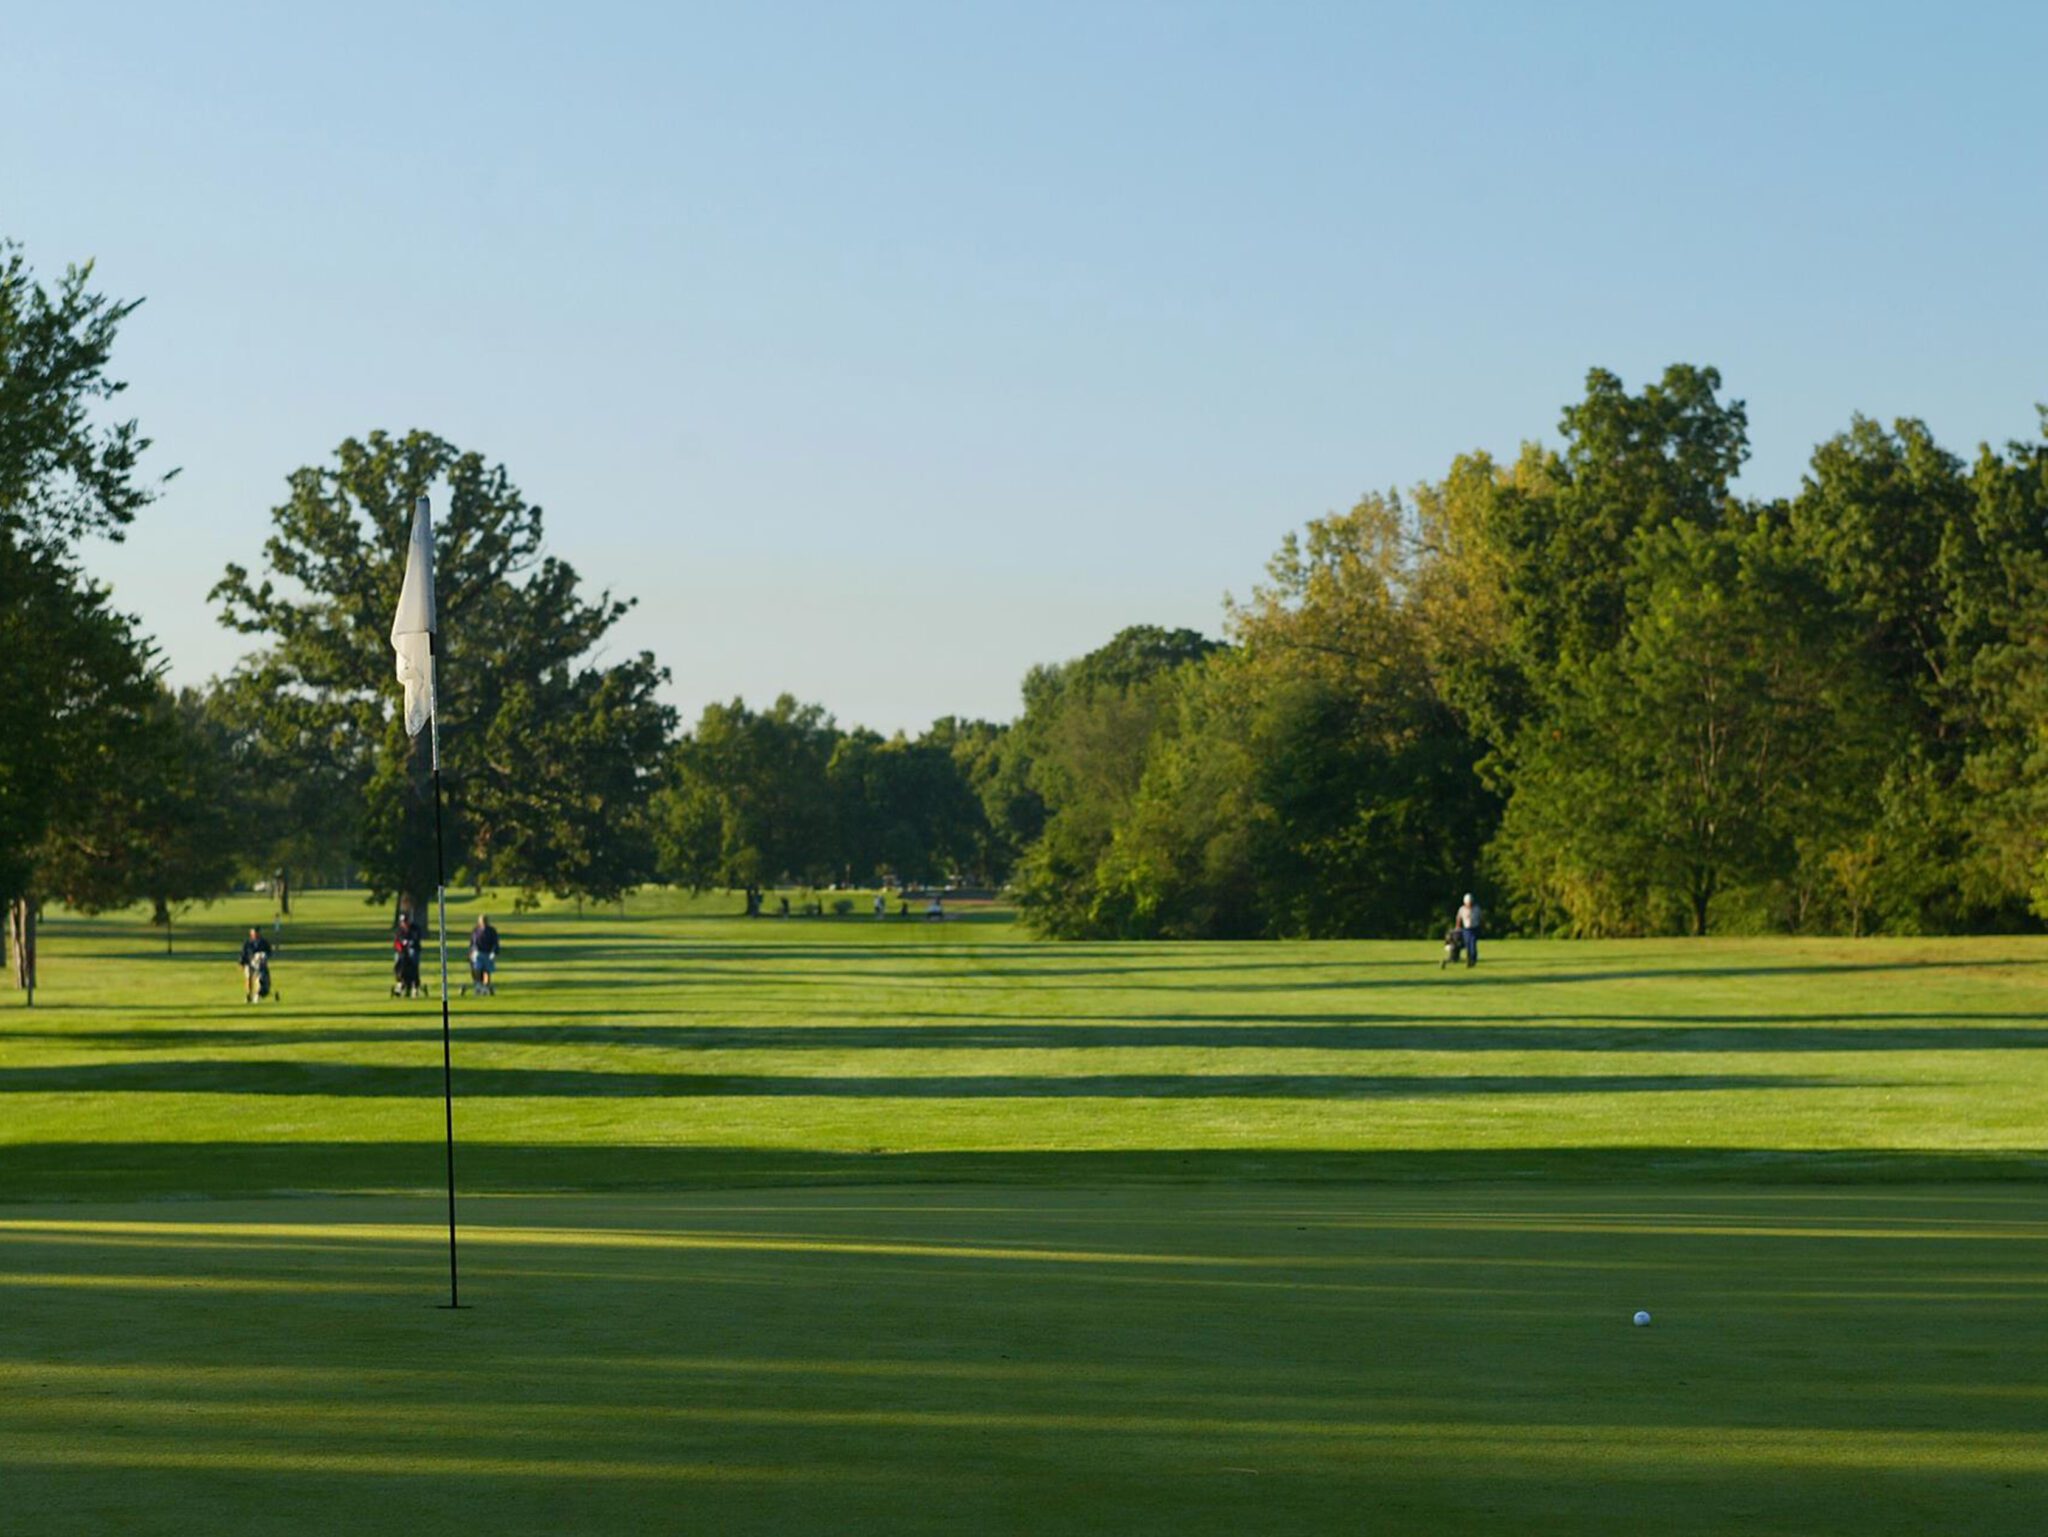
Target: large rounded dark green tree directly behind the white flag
(515, 669)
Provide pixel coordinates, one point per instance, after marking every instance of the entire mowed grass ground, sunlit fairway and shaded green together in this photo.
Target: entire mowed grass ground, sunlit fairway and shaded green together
(896, 1227)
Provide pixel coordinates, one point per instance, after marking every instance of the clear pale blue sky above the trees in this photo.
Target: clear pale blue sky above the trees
(884, 351)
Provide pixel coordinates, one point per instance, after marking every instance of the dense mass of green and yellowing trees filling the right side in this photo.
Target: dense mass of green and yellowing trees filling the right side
(1603, 686)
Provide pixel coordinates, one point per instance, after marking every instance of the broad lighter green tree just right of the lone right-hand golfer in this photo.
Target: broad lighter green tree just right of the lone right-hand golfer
(1695, 759)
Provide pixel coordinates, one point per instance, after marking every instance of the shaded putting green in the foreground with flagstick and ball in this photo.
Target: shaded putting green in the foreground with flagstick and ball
(1037, 1360)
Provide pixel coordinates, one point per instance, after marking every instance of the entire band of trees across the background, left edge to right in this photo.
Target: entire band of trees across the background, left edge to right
(1592, 679)
